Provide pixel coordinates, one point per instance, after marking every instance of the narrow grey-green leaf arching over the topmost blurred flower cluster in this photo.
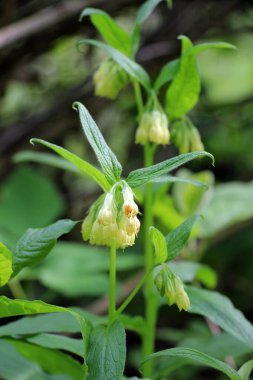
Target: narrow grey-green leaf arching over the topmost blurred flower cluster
(132, 68)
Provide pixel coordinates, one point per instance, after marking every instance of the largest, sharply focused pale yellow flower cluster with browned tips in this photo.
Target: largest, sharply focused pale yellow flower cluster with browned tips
(113, 218)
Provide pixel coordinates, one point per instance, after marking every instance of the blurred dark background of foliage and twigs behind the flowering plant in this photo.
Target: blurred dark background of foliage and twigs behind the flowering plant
(42, 73)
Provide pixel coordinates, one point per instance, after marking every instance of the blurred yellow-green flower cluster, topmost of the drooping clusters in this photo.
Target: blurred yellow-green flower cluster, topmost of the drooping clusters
(109, 79)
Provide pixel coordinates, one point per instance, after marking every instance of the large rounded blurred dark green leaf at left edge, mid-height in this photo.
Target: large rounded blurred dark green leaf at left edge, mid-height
(27, 199)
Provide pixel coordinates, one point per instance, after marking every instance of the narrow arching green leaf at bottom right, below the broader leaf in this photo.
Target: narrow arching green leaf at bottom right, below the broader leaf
(196, 356)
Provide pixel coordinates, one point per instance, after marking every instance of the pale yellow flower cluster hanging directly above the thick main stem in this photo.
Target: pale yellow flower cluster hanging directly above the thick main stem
(154, 128)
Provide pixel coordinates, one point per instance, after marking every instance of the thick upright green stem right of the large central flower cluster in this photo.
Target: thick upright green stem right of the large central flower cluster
(148, 343)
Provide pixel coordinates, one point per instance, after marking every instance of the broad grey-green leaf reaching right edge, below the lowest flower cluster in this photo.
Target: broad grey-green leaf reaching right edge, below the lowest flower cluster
(220, 310)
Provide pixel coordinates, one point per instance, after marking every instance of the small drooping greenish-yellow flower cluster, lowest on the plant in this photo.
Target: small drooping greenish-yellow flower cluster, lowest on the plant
(171, 286)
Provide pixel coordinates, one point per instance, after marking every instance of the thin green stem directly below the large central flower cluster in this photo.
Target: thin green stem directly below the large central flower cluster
(112, 288)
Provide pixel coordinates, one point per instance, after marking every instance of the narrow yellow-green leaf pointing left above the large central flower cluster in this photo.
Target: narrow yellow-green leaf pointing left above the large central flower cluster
(82, 165)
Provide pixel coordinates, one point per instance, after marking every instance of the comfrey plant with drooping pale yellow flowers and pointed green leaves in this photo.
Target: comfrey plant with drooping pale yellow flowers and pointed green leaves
(116, 217)
